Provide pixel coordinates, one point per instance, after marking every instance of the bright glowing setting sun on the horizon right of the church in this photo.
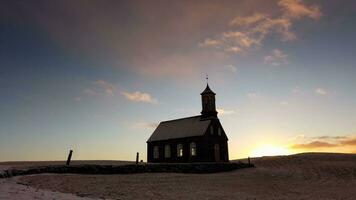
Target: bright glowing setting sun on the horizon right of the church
(269, 150)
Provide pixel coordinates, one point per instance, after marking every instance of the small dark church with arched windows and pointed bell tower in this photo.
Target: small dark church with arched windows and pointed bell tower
(198, 138)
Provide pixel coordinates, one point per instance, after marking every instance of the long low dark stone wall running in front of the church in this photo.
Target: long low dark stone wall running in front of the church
(128, 169)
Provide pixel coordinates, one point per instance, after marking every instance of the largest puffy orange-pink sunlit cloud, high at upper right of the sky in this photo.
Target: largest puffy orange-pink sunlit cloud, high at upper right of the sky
(251, 31)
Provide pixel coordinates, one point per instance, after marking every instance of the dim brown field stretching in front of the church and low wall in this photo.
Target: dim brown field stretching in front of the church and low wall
(302, 176)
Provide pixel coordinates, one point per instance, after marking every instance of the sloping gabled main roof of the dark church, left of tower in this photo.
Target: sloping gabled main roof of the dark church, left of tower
(180, 128)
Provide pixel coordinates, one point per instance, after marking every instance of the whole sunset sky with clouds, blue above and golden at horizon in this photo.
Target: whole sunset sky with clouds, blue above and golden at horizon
(98, 76)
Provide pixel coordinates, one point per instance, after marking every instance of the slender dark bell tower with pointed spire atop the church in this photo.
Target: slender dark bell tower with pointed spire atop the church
(208, 103)
